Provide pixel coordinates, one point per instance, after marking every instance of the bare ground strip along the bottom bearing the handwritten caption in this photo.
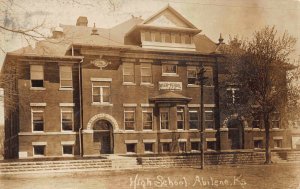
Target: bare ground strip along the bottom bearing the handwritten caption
(276, 176)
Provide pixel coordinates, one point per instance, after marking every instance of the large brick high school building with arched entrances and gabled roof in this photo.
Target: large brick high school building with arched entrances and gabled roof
(129, 89)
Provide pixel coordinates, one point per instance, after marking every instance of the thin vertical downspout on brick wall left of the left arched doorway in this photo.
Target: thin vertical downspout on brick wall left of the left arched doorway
(80, 109)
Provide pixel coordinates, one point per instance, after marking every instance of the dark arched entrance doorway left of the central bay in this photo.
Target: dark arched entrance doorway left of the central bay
(103, 134)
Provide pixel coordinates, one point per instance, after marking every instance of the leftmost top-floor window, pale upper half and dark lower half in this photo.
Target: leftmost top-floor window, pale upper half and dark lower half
(37, 75)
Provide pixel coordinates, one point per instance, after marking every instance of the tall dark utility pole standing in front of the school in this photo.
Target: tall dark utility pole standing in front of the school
(201, 79)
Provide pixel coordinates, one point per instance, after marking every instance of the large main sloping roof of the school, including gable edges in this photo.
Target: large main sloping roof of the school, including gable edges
(109, 37)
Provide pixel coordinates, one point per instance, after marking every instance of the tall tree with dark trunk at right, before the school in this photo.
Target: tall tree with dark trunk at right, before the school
(262, 69)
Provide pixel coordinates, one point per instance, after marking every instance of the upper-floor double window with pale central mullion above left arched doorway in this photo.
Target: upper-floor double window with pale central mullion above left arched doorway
(101, 91)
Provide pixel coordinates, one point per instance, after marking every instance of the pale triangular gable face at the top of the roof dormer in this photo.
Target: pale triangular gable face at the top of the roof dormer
(168, 17)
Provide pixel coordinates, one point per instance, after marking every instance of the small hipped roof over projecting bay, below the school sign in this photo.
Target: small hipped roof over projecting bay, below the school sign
(170, 97)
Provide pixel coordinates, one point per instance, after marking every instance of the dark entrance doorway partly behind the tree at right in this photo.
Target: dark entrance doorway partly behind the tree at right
(235, 134)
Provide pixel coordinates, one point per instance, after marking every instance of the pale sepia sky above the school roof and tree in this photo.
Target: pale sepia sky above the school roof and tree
(229, 17)
